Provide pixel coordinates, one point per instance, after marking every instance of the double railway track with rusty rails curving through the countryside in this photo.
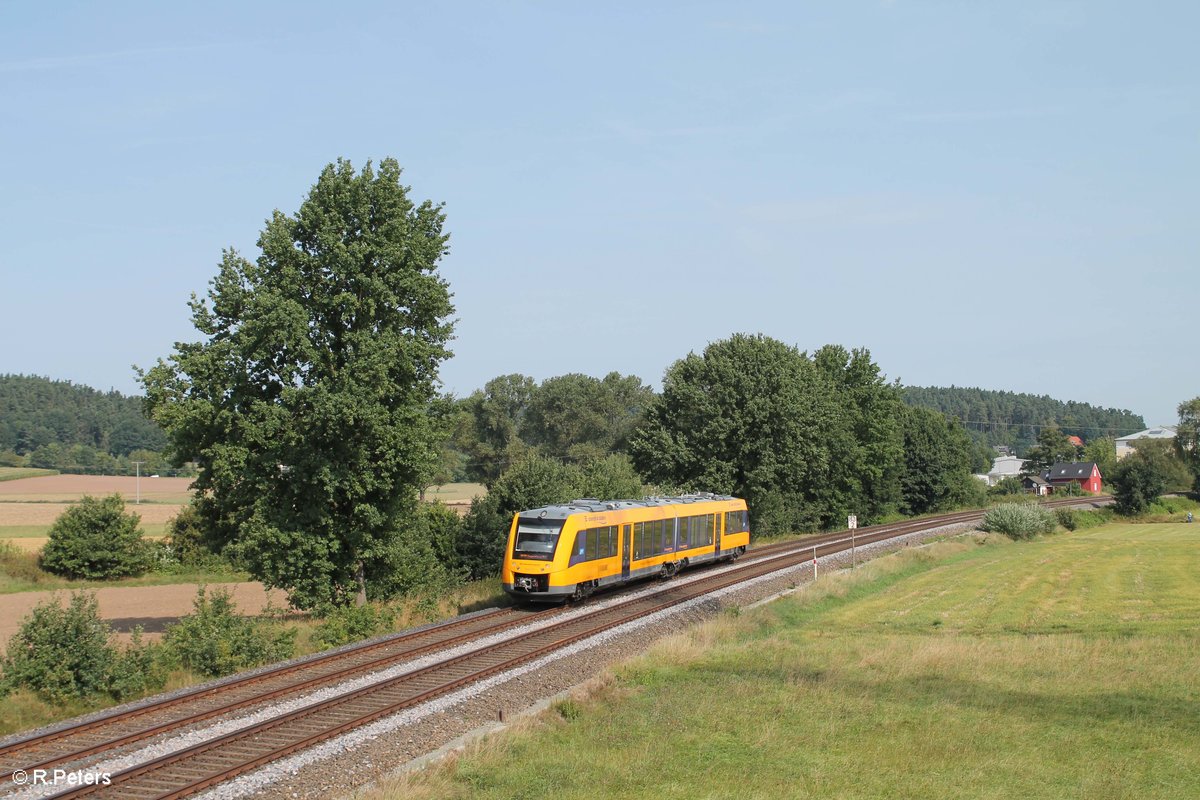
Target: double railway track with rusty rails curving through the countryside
(199, 767)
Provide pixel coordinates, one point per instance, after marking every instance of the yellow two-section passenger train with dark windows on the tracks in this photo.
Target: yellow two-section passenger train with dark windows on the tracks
(563, 552)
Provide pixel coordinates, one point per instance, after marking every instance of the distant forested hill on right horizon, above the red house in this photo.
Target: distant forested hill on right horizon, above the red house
(1000, 418)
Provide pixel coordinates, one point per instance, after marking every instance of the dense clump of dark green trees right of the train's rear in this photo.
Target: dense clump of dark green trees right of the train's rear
(805, 440)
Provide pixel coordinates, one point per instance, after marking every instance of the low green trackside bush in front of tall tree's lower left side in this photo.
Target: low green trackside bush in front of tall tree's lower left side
(217, 641)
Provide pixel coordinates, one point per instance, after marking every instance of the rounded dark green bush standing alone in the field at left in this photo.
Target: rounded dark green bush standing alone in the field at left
(97, 540)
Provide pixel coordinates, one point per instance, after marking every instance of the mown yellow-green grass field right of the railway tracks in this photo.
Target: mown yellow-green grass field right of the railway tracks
(1063, 667)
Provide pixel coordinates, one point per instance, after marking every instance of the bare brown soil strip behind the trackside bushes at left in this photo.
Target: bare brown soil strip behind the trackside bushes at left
(125, 607)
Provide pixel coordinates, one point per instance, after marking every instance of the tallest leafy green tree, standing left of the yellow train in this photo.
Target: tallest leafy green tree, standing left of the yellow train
(308, 401)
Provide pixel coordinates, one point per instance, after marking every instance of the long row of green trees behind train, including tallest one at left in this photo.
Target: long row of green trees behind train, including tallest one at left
(310, 406)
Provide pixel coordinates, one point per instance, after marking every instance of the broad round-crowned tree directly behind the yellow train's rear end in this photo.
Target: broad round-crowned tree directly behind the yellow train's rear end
(751, 417)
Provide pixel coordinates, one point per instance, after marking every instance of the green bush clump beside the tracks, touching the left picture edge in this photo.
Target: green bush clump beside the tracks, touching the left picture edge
(68, 653)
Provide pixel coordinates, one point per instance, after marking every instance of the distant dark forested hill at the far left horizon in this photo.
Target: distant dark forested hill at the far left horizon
(59, 425)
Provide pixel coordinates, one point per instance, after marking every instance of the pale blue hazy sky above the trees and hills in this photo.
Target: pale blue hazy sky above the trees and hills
(997, 195)
